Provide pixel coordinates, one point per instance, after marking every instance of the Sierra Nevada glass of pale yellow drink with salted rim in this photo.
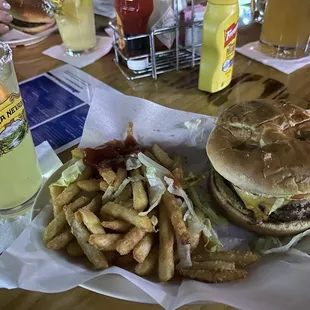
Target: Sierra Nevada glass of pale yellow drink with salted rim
(20, 173)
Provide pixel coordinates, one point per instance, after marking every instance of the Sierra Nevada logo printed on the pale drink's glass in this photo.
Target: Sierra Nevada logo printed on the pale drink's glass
(13, 123)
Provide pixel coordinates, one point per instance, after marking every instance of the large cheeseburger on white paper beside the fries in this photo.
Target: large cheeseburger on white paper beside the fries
(260, 156)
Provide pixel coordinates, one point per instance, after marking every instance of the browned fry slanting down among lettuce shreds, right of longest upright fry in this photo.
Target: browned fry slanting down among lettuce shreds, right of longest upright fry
(176, 218)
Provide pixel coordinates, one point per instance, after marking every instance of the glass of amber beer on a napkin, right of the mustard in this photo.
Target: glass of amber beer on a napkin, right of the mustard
(286, 29)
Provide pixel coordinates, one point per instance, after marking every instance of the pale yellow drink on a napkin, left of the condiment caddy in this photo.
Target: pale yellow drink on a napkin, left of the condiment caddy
(76, 24)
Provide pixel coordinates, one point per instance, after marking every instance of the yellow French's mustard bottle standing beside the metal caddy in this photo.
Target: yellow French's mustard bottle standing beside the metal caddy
(218, 44)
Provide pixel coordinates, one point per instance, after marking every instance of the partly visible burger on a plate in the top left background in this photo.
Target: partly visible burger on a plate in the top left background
(31, 16)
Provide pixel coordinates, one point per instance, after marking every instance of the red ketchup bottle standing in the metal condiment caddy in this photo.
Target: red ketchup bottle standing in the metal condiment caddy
(132, 19)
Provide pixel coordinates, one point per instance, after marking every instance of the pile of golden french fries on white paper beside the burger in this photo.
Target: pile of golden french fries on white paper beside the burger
(114, 232)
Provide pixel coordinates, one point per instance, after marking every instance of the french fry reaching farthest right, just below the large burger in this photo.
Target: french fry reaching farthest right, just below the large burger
(241, 259)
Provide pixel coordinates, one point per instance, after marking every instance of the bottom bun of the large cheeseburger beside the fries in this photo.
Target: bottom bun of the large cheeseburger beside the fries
(227, 203)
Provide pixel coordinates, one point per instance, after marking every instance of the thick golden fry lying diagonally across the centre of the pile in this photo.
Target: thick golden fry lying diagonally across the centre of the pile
(128, 215)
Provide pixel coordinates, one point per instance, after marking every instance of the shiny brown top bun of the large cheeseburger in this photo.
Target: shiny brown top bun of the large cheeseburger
(263, 147)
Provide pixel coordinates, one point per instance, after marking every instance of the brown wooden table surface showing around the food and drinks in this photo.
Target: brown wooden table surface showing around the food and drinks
(176, 90)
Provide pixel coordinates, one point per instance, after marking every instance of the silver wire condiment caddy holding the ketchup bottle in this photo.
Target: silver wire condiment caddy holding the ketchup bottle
(176, 58)
